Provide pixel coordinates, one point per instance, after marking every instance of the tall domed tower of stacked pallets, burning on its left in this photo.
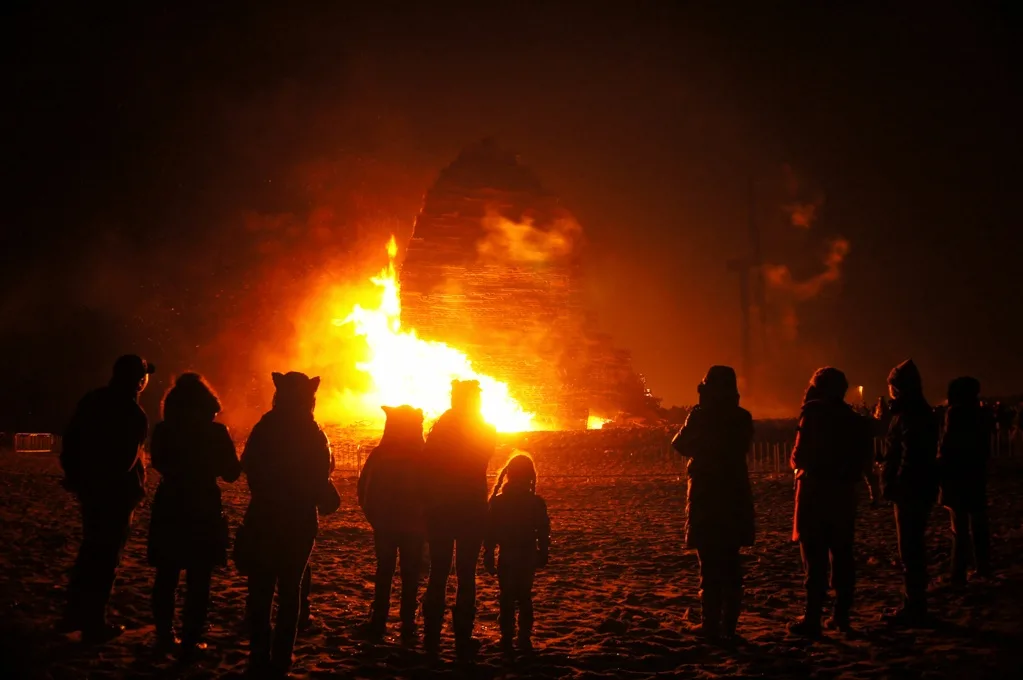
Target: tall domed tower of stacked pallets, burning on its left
(494, 268)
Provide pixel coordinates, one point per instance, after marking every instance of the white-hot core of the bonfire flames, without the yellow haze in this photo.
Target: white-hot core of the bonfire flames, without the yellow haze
(407, 370)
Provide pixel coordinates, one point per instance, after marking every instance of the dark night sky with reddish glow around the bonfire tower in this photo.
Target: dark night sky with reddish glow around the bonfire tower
(141, 145)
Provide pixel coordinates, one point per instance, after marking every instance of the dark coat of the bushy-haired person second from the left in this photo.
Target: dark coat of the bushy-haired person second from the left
(188, 528)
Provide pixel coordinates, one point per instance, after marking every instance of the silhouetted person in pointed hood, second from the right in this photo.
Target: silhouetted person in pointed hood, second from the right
(910, 480)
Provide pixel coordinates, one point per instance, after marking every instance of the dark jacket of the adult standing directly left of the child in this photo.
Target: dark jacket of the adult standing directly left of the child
(457, 455)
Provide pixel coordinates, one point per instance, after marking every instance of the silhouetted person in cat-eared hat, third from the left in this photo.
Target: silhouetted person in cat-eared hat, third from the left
(287, 462)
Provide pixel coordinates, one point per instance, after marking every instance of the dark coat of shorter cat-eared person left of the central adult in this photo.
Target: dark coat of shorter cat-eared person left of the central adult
(391, 488)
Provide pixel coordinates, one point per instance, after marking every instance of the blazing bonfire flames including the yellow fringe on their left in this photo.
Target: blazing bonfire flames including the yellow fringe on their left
(394, 366)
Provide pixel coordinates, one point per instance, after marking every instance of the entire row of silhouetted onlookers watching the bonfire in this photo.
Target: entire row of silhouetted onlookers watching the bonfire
(430, 494)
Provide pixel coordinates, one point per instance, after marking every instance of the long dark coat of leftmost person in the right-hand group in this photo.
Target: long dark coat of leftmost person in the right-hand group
(720, 503)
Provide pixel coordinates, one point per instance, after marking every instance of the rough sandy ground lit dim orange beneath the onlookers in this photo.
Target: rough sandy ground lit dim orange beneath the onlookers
(611, 605)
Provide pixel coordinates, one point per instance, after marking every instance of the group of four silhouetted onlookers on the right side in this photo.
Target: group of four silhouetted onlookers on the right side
(923, 462)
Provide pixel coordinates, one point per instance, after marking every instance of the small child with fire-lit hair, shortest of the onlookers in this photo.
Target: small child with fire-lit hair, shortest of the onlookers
(519, 527)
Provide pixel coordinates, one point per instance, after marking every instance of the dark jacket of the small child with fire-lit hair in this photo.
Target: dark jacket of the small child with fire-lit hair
(518, 524)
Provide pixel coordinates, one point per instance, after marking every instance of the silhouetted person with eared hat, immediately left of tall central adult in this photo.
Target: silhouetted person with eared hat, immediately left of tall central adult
(391, 493)
